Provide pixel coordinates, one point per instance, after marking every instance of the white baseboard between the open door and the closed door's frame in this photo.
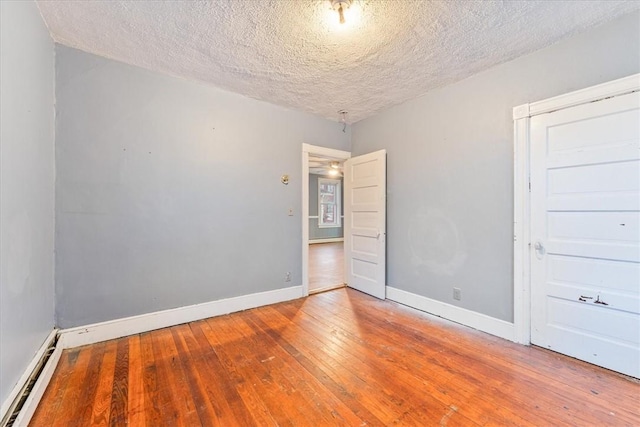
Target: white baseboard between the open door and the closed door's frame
(474, 320)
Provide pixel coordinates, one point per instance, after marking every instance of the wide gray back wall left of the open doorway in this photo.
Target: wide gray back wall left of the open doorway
(168, 192)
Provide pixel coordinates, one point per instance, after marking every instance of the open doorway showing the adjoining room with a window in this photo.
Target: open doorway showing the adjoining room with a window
(322, 219)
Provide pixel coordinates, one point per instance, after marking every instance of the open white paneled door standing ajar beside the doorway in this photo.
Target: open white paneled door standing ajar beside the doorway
(365, 222)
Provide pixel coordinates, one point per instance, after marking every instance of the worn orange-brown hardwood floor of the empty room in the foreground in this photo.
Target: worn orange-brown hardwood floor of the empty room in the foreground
(336, 358)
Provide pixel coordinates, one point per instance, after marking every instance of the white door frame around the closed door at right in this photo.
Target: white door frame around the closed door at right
(522, 186)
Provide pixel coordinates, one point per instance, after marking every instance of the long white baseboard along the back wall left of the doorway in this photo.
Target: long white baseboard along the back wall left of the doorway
(118, 328)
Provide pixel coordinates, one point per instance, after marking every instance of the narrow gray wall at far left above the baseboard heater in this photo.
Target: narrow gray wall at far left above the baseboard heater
(26, 188)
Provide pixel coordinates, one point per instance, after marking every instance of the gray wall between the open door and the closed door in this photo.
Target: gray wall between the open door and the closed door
(450, 166)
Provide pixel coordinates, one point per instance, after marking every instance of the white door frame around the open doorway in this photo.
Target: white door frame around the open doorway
(329, 153)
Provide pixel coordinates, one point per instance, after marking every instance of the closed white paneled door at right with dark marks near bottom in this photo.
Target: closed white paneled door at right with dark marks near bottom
(585, 233)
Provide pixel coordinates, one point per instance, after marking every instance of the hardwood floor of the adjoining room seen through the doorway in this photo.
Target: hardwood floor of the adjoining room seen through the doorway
(326, 265)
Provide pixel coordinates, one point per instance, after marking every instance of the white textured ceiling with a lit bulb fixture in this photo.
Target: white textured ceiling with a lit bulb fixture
(295, 54)
